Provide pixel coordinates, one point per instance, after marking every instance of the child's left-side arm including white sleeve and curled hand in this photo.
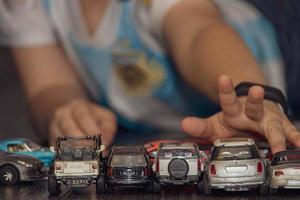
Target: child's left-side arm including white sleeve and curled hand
(59, 103)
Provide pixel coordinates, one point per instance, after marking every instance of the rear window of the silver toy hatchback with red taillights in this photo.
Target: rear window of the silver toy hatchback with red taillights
(235, 153)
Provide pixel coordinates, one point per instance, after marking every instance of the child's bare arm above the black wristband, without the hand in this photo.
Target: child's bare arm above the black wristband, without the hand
(203, 45)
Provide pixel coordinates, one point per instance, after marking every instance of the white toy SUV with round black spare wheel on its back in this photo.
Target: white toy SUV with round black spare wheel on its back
(178, 164)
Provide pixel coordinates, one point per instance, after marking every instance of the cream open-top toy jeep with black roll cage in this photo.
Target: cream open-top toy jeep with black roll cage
(78, 163)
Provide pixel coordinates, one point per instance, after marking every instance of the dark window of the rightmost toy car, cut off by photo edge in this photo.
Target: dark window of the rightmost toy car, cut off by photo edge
(286, 157)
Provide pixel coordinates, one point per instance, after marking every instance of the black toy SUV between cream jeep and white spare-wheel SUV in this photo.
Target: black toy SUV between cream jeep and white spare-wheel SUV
(130, 166)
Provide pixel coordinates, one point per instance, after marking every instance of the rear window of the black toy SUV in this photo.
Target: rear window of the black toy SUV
(128, 160)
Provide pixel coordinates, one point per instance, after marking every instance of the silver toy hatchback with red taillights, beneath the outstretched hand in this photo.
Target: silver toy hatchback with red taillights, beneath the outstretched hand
(235, 164)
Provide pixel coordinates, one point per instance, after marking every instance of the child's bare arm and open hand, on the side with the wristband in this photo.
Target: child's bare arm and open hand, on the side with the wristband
(204, 47)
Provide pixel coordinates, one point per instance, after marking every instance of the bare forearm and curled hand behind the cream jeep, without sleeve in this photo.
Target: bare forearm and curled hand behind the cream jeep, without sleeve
(57, 99)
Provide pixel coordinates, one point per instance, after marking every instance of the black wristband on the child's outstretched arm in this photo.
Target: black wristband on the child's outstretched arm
(271, 93)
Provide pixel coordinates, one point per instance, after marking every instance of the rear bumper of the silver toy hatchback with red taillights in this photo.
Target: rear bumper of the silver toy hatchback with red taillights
(236, 184)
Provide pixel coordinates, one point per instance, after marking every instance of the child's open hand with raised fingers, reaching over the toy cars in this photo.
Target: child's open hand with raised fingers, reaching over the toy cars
(240, 115)
